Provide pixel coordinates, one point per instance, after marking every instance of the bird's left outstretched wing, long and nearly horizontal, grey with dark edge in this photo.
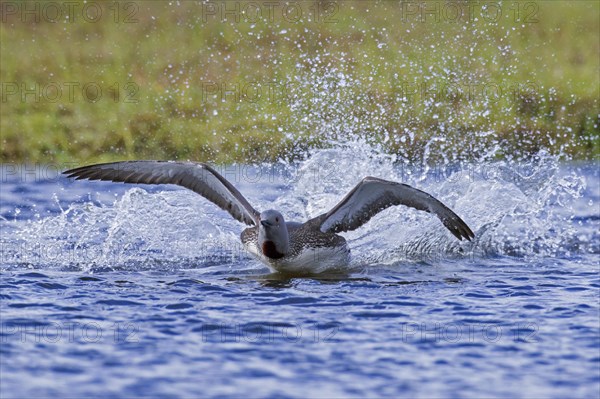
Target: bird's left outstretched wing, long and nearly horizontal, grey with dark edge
(198, 177)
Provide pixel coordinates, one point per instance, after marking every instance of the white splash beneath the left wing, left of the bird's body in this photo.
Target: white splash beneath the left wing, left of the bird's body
(139, 231)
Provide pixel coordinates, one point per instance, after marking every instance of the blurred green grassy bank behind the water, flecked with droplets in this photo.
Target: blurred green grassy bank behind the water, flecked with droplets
(188, 81)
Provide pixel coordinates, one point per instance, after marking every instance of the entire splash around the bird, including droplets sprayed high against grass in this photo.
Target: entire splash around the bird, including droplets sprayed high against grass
(522, 205)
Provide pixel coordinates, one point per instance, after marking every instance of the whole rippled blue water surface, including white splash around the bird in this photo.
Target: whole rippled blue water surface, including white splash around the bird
(113, 290)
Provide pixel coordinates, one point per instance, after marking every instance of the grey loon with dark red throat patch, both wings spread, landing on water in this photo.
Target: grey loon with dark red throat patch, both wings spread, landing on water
(310, 247)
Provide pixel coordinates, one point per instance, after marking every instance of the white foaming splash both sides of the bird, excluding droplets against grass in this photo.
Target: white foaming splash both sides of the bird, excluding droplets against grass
(521, 210)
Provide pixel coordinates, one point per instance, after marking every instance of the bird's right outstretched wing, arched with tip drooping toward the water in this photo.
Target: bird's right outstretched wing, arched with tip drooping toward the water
(372, 195)
